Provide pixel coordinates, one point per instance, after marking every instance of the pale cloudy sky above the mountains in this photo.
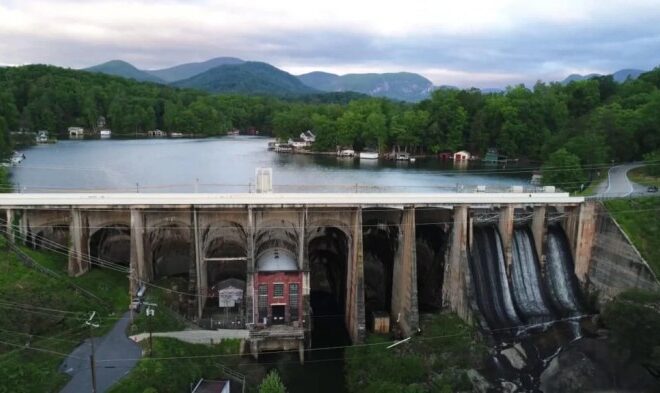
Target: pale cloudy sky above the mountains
(465, 43)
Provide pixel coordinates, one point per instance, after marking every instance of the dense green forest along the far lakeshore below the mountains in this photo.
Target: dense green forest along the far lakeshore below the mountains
(587, 122)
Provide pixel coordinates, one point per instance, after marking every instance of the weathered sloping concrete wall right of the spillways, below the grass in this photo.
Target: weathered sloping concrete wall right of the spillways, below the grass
(615, 264)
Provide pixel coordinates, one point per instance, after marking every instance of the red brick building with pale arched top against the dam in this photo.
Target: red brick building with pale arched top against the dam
(278, 288)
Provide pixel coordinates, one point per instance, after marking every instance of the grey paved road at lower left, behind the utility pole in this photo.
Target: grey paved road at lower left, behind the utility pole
(114, 345)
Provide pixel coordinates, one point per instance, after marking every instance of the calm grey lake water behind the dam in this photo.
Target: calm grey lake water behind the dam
(227, 164)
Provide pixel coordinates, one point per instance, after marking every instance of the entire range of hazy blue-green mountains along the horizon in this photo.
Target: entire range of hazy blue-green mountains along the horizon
(233, 75)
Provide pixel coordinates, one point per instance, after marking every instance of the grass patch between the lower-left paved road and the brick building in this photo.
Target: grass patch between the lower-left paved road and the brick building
(181, 369)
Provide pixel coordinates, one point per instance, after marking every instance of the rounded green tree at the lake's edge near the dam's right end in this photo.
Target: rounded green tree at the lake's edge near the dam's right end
(563, 170)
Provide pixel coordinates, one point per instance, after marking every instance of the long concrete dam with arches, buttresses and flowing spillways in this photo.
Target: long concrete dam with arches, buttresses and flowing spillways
(273, 261)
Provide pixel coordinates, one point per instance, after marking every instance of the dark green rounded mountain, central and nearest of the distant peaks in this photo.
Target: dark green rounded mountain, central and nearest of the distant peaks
(250, 77)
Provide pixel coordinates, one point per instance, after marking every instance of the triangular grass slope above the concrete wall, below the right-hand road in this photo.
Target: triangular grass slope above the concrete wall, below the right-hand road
(640, 219)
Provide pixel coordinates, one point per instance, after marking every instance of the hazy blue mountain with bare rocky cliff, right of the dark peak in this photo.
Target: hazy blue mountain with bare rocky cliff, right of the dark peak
(403, 86)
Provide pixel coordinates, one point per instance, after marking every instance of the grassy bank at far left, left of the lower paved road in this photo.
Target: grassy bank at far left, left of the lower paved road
(32, 304)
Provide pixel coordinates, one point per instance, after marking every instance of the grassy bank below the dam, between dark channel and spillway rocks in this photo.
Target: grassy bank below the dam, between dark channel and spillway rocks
(433, 361)
